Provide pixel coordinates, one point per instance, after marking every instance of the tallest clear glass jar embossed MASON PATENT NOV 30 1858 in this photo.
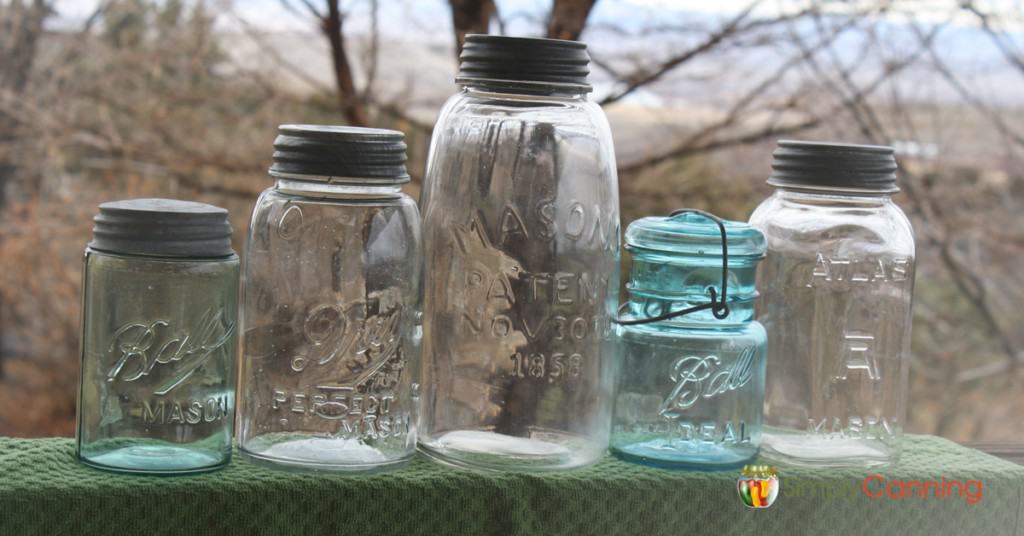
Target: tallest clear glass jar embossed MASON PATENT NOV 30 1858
(522, 238)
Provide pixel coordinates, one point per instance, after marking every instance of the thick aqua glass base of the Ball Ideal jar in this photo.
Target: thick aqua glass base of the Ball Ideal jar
(654, 455)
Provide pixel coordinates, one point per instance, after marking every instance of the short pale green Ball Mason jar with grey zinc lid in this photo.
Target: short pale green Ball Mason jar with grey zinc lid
(159, 312)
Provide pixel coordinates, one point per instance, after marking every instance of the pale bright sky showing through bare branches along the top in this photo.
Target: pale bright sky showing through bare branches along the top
(964, 45)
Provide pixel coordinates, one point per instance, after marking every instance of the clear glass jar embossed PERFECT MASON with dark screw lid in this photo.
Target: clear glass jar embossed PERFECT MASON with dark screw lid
(332, 300)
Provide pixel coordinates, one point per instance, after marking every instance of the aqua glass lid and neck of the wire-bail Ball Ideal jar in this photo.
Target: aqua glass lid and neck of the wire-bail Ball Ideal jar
(692, 267)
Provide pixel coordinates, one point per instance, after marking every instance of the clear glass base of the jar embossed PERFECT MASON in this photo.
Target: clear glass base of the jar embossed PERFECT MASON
(320, 455)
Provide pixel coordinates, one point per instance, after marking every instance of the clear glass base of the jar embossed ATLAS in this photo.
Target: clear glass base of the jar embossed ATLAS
(809, 451)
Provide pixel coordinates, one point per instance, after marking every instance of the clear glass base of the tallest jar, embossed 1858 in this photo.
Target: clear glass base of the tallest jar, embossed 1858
(489, 450)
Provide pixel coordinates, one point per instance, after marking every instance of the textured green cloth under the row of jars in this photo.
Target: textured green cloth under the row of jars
(44, 490)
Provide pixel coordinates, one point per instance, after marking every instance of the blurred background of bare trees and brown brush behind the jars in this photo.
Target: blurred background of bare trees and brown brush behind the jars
(119, 99)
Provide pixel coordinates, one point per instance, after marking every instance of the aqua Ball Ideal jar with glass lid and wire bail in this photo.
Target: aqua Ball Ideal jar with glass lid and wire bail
(692, 386)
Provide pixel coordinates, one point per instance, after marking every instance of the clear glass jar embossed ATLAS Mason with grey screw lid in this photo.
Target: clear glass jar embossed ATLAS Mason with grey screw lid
(837, 288)
